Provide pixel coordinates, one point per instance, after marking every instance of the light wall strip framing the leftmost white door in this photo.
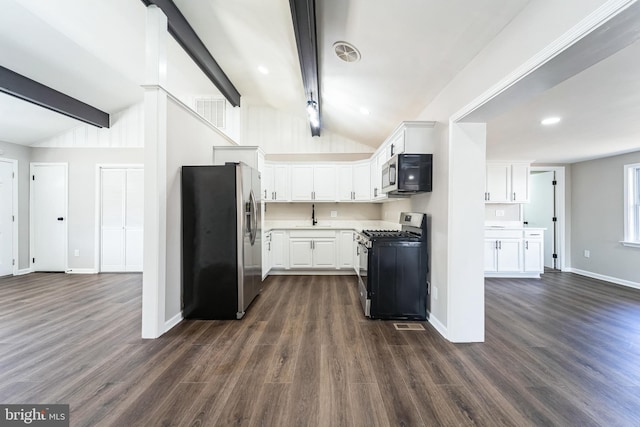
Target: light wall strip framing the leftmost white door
(22, 154)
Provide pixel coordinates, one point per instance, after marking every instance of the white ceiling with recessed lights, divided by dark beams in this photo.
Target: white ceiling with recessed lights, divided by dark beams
(94, 51)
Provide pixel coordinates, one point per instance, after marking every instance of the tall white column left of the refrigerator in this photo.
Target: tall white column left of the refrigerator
(155, 176)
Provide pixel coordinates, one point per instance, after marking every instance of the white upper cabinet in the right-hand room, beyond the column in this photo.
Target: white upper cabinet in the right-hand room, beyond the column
(507, 183)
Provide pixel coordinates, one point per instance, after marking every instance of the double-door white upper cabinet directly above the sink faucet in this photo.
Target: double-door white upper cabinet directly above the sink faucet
(313, 183)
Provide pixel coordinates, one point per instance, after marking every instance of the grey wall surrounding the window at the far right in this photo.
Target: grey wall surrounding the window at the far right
(597, 219)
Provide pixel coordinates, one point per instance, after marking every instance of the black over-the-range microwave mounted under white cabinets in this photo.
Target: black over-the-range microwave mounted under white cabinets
(407, 174)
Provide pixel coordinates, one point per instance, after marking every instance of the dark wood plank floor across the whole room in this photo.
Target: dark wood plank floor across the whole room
(561, 351)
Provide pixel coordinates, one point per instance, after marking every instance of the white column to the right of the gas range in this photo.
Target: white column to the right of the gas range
(467, 160)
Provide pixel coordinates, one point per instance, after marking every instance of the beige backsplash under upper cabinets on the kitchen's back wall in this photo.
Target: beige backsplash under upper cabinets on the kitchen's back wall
(344, 211)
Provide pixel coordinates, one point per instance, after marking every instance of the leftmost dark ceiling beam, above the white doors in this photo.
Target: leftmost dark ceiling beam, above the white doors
(22, 87)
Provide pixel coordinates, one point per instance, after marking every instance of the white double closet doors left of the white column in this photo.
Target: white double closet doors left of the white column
(121, 219)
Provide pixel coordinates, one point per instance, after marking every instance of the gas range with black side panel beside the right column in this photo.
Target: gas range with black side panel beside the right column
(393, 270)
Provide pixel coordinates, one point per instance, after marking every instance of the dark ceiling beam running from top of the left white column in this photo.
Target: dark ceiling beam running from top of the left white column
(186, 37)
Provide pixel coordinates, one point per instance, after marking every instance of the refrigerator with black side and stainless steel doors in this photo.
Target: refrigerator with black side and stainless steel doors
(221, 240)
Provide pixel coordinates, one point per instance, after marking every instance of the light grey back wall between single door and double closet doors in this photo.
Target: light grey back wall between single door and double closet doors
(82, 164)
